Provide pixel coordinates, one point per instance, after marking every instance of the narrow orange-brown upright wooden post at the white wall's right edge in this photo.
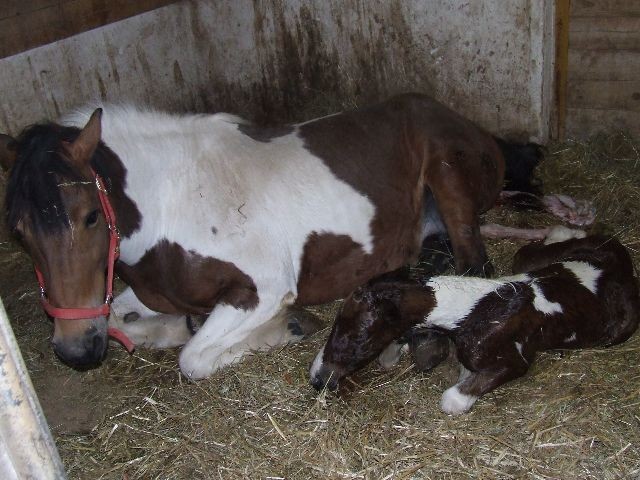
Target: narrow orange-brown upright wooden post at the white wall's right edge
(563, 8)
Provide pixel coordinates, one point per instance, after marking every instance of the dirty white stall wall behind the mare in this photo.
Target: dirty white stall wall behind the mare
(290, 59)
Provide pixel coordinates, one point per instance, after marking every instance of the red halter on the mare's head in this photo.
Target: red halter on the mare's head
(114, 252)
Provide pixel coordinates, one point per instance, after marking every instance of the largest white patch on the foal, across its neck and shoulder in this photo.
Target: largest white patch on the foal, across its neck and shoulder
(456, 297)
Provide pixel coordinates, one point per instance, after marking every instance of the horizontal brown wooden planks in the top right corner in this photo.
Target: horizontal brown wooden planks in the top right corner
(604, 67)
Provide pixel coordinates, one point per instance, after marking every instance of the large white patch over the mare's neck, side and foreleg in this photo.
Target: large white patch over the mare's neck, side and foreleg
(264, 199)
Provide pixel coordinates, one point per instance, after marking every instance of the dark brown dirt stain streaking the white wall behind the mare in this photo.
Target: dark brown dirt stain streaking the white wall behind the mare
(302, 72)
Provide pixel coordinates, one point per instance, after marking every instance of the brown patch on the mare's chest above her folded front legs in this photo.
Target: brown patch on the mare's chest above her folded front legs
(188, 282)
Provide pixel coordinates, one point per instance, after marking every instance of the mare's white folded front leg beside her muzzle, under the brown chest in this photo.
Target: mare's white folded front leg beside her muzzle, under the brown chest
(147, 328)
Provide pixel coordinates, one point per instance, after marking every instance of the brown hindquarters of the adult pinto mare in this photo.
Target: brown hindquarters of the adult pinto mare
(412, 144)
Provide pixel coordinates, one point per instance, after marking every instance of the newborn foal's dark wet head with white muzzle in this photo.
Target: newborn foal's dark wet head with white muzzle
(369, 320)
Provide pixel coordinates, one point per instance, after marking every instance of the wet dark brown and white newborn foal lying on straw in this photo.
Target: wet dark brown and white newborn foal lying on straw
(575, 293)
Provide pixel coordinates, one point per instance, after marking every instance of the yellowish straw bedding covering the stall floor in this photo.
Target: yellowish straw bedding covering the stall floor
(575, 415)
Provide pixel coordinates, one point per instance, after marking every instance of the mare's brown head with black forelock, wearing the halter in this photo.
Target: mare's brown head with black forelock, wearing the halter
(53, 207)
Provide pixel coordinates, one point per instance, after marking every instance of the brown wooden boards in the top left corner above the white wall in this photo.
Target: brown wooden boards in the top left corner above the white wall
(26, 24)
